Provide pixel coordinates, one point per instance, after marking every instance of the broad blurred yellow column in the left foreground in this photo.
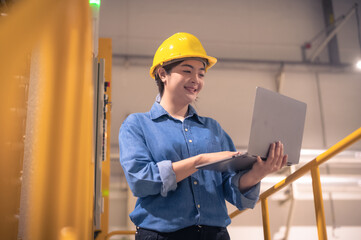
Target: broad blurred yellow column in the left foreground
(63, 180)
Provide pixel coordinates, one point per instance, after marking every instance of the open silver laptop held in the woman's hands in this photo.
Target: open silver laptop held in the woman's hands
(275, 118)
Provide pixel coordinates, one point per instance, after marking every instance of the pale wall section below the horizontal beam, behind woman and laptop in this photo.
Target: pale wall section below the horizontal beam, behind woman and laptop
(228, 97)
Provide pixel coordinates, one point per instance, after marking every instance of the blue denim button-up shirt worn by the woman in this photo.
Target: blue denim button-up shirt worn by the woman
(149, 143)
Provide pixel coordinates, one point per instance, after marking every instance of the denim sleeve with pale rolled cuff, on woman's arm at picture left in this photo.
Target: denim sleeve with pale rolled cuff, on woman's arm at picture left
(144, 175)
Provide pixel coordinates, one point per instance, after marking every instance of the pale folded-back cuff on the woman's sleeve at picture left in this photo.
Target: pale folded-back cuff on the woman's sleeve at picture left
(167, 175)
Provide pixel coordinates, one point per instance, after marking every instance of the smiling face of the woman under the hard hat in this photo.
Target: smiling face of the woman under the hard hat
(184, 82)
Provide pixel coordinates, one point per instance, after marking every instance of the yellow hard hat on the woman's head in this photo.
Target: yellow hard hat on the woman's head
(178, 46)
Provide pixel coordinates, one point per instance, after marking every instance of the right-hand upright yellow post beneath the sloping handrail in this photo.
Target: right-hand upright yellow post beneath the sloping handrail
(318, 200)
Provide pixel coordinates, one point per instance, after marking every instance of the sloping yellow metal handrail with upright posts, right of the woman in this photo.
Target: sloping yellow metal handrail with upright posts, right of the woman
(317, 191)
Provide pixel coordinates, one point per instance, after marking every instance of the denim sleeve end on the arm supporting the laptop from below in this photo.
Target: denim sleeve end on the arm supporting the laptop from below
(251, 196)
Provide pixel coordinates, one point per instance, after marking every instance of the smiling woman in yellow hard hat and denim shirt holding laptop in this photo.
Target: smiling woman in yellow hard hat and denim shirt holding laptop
(160, 149)
